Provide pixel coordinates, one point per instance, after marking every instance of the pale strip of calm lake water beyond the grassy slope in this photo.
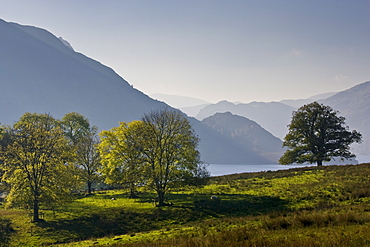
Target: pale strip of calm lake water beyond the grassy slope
(222, 169)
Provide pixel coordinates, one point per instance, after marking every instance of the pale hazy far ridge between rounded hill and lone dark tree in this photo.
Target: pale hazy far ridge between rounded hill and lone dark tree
(272, 116)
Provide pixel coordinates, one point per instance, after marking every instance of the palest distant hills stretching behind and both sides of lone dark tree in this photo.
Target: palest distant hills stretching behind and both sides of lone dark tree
(353, 104)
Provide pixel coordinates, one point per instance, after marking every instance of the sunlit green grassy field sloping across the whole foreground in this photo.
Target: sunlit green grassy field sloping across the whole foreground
(326, 206)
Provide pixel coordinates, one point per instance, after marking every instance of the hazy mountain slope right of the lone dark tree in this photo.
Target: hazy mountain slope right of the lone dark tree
(354, 105)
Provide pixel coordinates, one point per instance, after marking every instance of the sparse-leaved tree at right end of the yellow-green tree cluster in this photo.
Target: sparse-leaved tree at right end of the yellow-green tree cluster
(169, 149)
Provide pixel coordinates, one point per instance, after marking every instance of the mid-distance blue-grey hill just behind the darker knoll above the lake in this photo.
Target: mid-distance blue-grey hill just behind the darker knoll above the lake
(248, 134)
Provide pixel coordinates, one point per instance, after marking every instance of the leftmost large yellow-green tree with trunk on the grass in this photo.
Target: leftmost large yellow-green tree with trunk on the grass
(34, 163)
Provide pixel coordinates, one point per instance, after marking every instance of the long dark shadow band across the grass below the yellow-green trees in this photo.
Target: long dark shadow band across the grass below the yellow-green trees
(187, 208)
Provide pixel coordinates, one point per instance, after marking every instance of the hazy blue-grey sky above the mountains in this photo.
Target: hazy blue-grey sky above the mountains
(236, 50)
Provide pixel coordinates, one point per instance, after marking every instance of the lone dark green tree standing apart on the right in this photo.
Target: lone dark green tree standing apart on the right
(317, 134)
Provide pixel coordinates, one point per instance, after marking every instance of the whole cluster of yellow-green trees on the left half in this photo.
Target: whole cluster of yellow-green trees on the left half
(44, 159)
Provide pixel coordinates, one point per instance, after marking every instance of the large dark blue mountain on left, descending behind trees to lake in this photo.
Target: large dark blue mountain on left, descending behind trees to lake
(42, 73)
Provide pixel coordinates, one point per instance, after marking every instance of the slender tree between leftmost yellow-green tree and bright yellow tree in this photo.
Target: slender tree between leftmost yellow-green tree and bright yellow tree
(83, 141)
